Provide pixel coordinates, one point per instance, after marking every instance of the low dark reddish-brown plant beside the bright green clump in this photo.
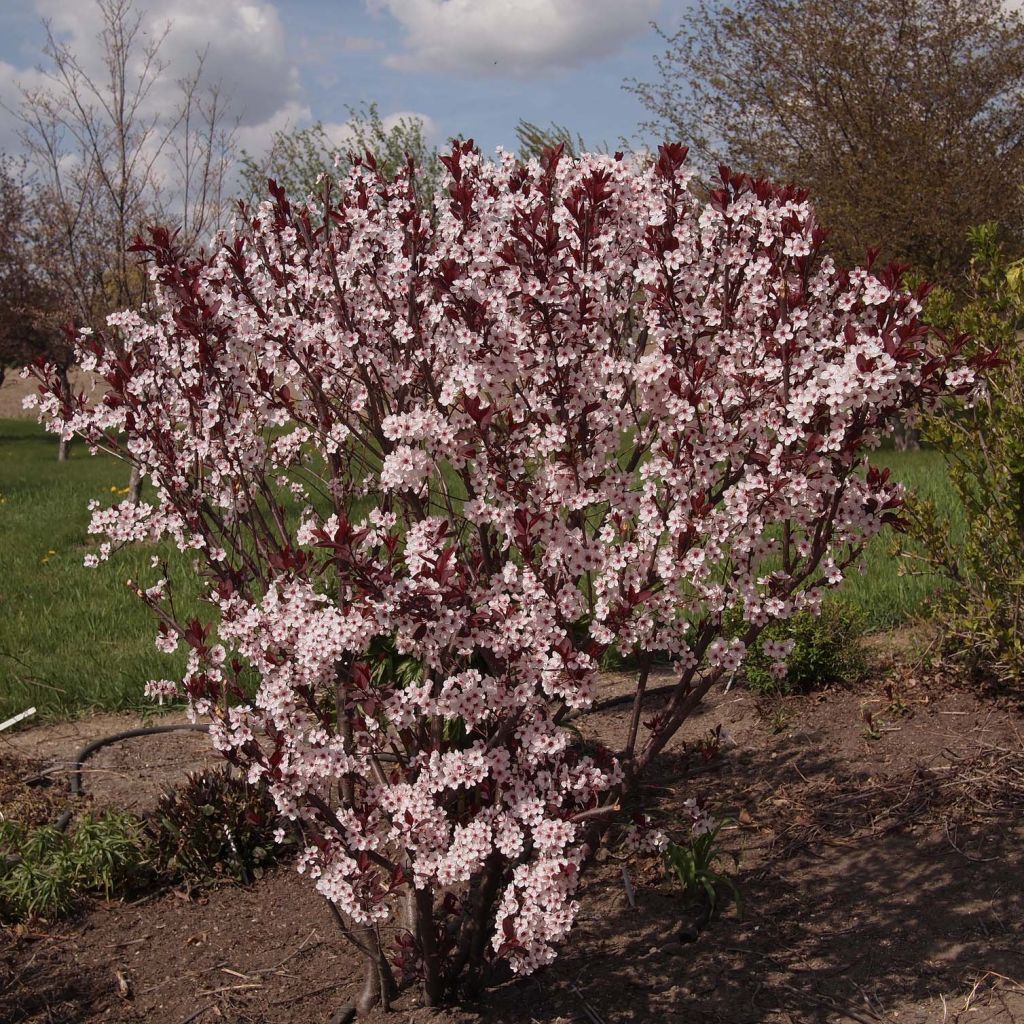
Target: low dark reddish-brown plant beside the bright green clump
(216, 827)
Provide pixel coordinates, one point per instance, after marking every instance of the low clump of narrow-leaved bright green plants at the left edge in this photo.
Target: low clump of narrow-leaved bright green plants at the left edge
(45, 872)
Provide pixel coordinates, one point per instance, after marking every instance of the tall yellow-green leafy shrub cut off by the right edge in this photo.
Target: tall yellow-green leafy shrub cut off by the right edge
(982, 610)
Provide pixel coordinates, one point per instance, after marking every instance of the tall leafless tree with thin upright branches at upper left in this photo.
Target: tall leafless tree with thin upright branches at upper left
(111, 156)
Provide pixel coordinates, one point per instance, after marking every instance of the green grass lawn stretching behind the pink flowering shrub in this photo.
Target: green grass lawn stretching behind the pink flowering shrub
(74, 639)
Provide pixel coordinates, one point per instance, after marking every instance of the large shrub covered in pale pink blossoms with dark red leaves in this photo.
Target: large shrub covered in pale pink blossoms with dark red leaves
(437, 468)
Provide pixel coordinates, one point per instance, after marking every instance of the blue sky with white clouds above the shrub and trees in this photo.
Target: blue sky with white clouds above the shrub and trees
(466, 67)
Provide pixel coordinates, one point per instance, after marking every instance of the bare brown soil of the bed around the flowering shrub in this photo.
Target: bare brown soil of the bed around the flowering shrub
(882, 869)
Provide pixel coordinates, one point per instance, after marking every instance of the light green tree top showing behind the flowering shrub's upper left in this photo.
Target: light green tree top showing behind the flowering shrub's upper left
(297, 157)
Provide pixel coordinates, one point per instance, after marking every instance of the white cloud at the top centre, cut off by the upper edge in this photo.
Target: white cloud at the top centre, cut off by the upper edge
(513, 37)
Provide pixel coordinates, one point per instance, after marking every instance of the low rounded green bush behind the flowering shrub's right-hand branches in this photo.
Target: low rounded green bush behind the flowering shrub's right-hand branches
(826, 650)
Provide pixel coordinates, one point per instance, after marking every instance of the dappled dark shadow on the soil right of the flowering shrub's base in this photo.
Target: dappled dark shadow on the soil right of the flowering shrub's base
(856, 905)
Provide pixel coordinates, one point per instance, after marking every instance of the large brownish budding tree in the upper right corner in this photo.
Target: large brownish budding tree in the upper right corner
(906, 118)
